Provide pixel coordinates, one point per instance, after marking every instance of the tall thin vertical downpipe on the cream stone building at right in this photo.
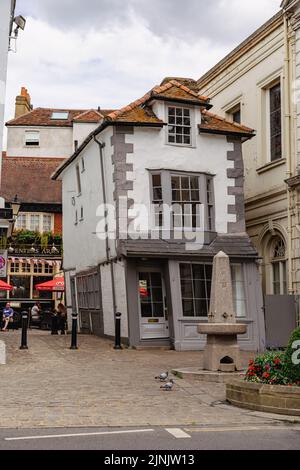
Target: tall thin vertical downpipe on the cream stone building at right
(287, 128)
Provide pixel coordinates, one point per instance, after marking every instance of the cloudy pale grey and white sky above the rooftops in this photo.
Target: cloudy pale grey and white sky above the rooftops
(89, 53)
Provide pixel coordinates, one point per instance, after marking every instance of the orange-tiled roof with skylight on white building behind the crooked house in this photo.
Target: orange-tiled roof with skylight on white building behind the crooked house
(42, 117)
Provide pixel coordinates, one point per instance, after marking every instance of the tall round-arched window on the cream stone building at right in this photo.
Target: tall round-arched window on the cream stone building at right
(279, 264)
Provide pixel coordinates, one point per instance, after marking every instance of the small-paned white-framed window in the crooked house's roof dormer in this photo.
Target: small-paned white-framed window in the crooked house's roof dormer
(179, 126)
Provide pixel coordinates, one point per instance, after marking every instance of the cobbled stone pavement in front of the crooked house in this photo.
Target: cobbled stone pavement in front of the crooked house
(51, 386)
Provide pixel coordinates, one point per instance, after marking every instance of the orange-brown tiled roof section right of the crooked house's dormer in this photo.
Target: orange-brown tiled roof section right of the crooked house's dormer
(216, 124)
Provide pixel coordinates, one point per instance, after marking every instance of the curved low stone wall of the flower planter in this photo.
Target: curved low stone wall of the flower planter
(278, 399)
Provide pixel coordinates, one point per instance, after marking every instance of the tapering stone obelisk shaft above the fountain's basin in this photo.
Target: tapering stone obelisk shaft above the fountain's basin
(221, 303)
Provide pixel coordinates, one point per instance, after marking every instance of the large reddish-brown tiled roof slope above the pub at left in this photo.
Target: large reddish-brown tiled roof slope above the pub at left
(30, 179)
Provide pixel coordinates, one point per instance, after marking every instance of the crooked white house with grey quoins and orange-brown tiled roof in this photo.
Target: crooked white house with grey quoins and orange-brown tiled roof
(126, 251)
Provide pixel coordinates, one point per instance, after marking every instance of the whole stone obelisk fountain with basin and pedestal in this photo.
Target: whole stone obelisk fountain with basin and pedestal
(222, 352)
